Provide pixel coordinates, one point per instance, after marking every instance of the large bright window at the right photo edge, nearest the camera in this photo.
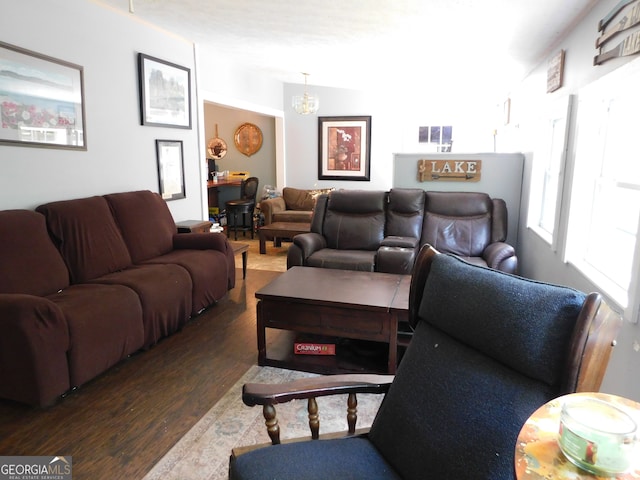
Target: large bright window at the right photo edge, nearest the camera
(605, 196)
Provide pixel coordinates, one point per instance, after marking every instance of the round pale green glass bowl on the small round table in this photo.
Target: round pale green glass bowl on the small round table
(597, 436)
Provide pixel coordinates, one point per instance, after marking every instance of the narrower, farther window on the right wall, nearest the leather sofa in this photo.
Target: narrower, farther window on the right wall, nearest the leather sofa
(548, 172)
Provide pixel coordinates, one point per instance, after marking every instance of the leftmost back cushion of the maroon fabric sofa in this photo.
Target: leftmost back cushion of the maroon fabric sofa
(31, 264)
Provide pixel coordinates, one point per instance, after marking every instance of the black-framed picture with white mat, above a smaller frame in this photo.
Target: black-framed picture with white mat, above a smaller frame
(165, 93)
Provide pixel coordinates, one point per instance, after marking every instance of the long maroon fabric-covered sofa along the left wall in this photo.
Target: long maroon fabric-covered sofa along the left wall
(87, 282)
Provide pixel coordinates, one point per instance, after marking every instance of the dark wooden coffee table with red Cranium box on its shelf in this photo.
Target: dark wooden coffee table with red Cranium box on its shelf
(331, 303)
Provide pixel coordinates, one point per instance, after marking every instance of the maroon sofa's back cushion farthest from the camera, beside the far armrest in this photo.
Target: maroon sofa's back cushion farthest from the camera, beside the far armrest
(145, 222)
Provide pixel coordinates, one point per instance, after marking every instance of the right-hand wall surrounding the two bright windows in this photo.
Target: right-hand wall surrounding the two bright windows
(537, 259)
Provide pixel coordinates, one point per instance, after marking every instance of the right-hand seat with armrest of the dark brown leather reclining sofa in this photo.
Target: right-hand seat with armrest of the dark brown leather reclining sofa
(470, 225)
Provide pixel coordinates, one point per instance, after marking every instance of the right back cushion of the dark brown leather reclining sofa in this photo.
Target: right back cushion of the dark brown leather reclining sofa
(458, 222)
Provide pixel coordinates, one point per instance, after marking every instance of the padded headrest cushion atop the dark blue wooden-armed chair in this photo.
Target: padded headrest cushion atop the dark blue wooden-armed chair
(551, 313)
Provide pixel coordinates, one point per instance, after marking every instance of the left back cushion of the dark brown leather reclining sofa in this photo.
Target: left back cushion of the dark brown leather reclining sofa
(355, 219)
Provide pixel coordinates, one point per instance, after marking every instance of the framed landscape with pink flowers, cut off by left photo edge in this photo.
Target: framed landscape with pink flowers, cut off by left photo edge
(41, 100)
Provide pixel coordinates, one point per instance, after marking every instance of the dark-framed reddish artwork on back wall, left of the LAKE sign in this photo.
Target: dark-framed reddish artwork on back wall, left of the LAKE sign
(344, 148)
